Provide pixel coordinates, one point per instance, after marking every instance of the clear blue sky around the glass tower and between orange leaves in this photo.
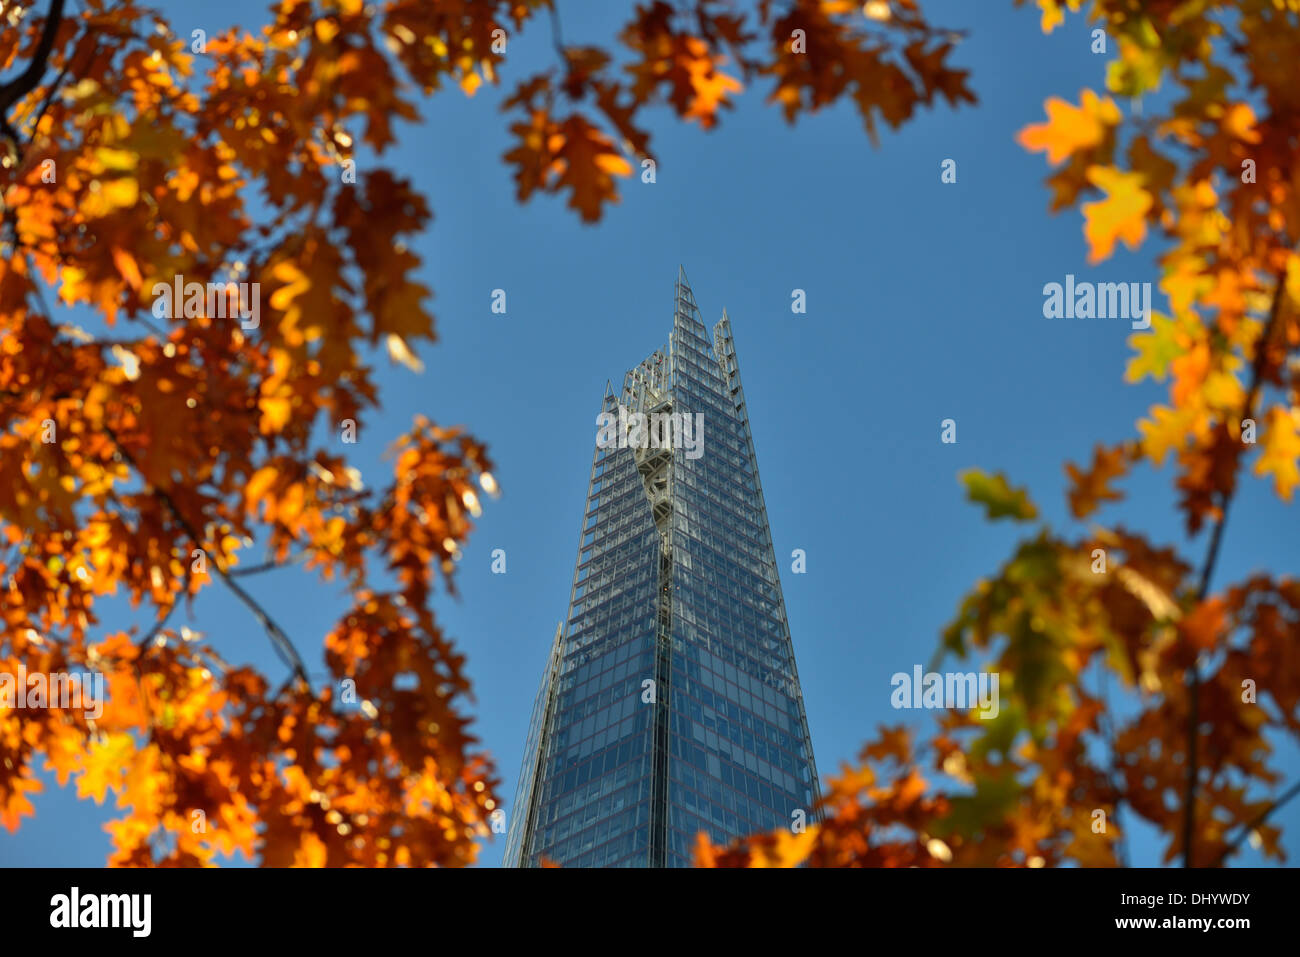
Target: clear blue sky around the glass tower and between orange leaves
(924, 304)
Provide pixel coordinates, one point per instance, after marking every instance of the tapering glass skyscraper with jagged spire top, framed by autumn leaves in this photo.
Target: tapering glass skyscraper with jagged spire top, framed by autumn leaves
(670, 703)
